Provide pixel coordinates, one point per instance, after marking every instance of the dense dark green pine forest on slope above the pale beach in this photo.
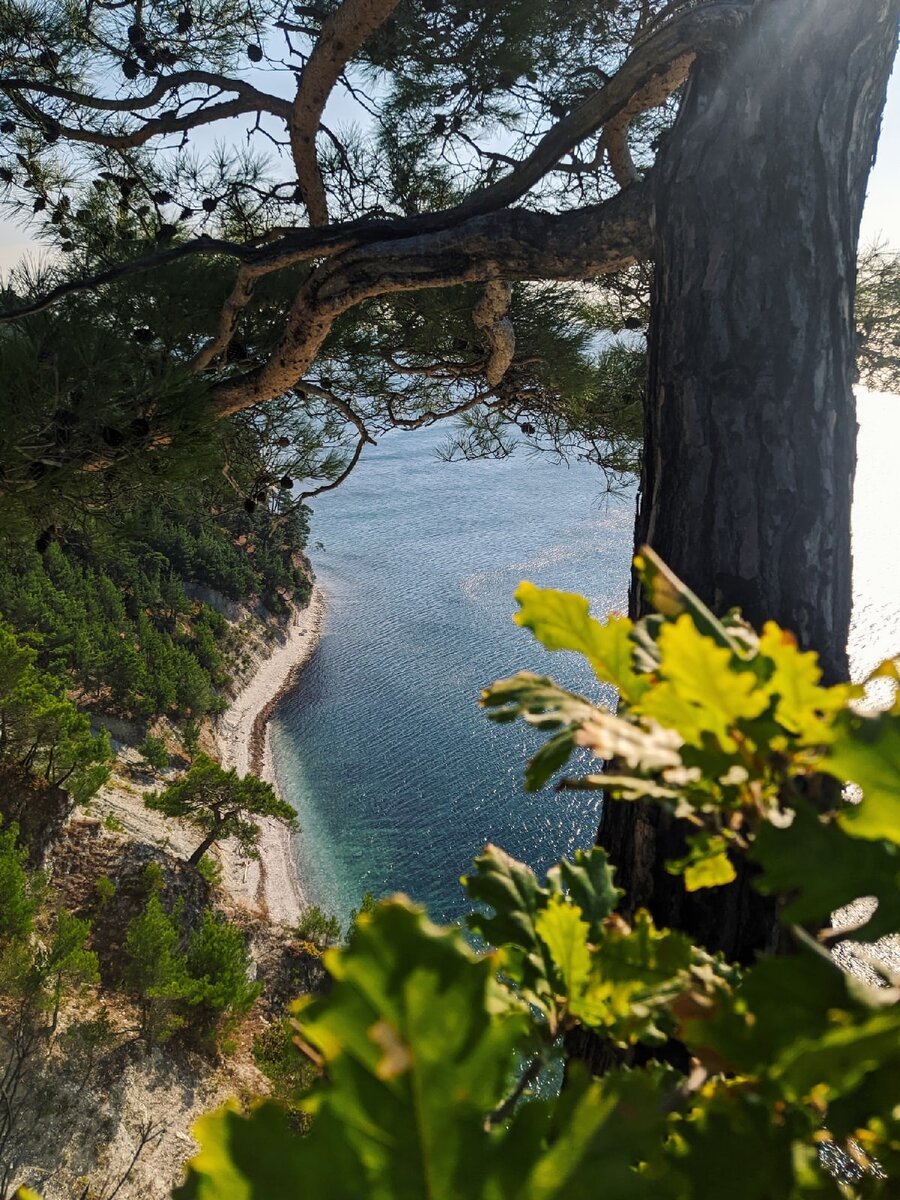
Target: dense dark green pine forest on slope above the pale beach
(106, 608)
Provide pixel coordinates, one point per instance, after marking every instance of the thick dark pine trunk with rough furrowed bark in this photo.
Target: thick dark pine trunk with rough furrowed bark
(751, 439)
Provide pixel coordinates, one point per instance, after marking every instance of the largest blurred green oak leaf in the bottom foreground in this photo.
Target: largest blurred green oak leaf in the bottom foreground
(418, 1041)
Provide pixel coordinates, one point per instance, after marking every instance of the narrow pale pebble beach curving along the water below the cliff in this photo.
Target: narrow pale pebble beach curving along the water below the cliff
(243, 737)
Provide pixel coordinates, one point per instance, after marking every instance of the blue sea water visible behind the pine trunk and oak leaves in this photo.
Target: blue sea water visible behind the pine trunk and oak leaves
(397, 775)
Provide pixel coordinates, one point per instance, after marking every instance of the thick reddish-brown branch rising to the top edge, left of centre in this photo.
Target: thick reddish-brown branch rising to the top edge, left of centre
(343, 34)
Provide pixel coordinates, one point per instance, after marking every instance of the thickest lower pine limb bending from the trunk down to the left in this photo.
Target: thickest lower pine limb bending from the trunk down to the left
(514, 245)
